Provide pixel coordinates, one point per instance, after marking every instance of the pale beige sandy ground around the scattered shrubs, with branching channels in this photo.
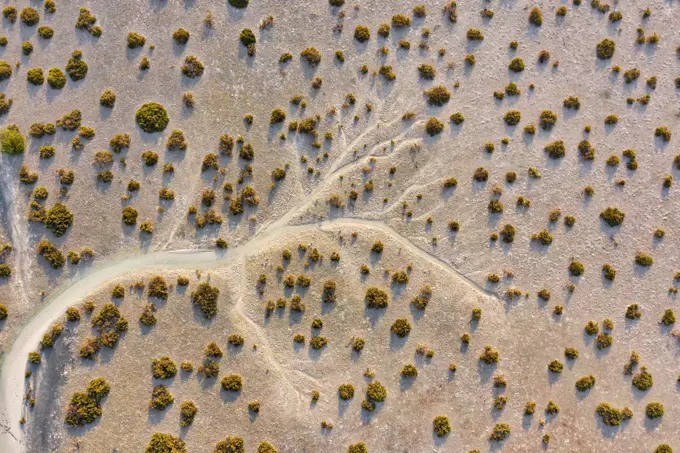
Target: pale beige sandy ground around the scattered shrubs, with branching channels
(526, 331)
